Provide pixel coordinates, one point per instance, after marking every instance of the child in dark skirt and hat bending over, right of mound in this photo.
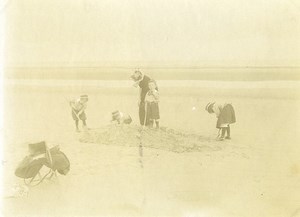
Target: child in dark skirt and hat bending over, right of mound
(226, 116)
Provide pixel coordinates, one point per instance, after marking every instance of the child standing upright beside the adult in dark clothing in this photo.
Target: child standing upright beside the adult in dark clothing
(152, 109)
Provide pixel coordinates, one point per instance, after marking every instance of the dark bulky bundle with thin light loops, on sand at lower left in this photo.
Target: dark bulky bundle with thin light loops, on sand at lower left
(39, 156)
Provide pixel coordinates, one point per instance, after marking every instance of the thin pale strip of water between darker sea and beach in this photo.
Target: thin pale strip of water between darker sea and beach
(161, 83)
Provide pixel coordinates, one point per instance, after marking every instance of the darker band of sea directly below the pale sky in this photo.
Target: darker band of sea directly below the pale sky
(157, 73)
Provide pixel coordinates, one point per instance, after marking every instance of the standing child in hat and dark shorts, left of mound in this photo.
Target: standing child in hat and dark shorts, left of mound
(78, 106)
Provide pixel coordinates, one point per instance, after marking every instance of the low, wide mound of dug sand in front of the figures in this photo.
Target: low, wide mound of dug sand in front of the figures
(164, 139)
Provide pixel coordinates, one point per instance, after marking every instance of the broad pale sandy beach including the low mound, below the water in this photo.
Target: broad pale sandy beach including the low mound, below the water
(184, 172)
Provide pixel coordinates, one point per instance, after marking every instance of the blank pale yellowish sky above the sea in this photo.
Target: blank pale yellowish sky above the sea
(152, 32)
